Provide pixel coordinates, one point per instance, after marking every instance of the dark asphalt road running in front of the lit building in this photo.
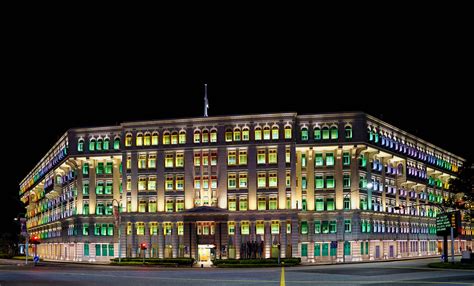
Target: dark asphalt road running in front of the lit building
(412, 272)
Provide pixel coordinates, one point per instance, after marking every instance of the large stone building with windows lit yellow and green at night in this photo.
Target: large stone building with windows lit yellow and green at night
(327, 188)
